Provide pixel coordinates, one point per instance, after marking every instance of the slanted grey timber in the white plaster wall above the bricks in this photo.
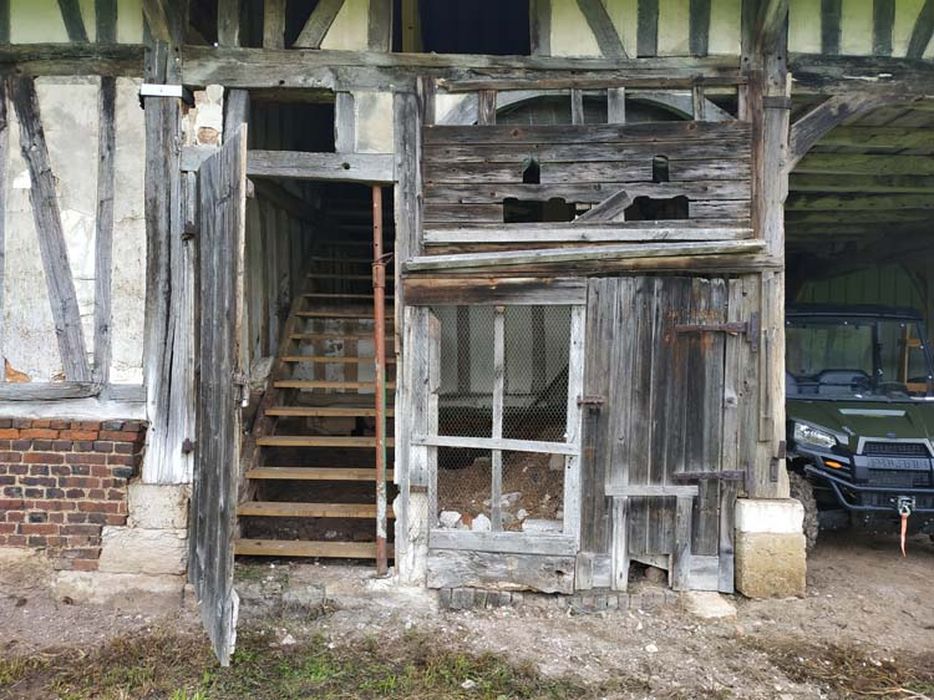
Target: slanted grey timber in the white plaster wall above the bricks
(52, 246)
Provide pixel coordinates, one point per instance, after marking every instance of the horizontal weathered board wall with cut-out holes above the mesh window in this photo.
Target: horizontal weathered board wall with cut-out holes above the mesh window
(469, 171)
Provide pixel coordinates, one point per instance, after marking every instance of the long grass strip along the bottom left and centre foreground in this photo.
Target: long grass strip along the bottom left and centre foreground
(180, 667)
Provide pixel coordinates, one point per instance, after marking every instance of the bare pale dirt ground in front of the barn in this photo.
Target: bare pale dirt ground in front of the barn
(865, 627)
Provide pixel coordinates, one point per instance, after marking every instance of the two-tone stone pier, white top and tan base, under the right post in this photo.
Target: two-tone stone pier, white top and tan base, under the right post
(770, 548)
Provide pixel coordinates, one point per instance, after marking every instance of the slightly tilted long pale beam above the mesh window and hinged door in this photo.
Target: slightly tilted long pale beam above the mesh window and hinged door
(567, 255)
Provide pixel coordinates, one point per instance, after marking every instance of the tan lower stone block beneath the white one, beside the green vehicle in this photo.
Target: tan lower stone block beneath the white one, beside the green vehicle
(770, 565)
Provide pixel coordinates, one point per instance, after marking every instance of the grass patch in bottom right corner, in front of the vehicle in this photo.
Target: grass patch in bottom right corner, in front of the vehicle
(850, 672)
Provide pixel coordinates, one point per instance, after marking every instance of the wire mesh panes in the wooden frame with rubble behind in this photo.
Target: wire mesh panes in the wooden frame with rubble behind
(532, 343)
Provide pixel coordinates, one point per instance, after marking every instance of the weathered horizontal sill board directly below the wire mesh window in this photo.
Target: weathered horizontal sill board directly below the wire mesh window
(508, 572)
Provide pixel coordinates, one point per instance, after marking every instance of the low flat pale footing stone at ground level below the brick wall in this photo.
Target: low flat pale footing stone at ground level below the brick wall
(101, 587)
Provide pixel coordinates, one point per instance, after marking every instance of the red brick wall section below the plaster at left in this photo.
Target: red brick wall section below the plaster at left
(61, 481)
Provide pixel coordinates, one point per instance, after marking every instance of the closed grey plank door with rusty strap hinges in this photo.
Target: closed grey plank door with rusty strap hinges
(661, 442)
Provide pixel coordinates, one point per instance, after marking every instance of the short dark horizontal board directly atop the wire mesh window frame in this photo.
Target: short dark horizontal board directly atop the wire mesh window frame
(430, 291)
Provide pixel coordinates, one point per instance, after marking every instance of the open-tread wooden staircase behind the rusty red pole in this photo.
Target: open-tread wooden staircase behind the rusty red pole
(312, 479)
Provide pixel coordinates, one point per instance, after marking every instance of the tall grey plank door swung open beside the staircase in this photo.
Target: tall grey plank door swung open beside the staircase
(222, 203)
